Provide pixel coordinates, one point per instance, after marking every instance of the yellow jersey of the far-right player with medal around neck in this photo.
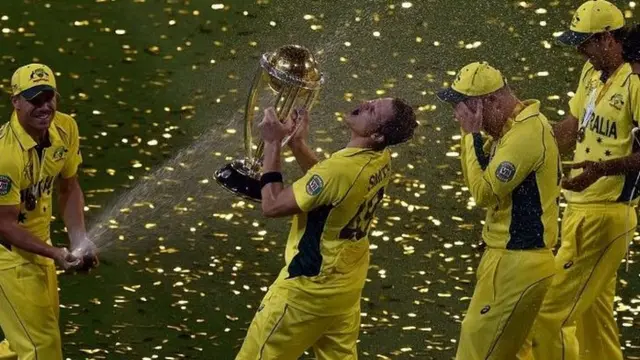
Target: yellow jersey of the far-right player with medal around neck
(608, 111)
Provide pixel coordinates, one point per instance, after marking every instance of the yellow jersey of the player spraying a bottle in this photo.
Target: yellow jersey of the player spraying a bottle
(27, 175)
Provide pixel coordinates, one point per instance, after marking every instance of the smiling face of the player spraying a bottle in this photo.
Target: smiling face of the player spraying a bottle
(37, 113)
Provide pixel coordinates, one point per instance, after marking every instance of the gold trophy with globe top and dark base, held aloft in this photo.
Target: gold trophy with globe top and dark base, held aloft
(287, 79)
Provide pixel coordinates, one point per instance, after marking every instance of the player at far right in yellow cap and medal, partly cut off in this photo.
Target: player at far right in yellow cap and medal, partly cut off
(576, 319)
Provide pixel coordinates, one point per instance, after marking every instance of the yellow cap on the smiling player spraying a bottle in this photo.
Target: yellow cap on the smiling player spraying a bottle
(31, 80)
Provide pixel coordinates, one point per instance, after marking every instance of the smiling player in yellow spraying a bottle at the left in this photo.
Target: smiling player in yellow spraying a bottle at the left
(39, 147)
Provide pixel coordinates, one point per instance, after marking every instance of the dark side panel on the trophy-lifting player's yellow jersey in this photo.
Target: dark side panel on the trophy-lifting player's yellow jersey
(308, 260)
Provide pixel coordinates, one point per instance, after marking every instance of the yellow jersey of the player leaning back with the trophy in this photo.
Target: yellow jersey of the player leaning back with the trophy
(327, 254)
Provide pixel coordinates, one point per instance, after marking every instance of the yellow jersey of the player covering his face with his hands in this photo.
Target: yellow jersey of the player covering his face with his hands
(517, 178)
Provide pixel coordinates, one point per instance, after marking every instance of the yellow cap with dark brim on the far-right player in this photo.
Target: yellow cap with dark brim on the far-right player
(592, 17)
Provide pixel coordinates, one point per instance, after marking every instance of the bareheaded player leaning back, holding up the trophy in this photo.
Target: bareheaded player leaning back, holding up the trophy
(315, 302)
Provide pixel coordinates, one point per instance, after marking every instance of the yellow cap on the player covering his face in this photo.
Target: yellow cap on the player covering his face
(475, 79)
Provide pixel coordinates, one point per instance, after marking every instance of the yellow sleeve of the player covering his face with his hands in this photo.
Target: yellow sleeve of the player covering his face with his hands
(516, 155)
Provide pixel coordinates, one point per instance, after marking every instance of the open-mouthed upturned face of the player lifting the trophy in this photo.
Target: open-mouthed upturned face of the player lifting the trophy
(367, 118)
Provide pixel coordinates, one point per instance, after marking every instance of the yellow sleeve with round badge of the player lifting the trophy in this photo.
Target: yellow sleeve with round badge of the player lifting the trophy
(324, 184)
